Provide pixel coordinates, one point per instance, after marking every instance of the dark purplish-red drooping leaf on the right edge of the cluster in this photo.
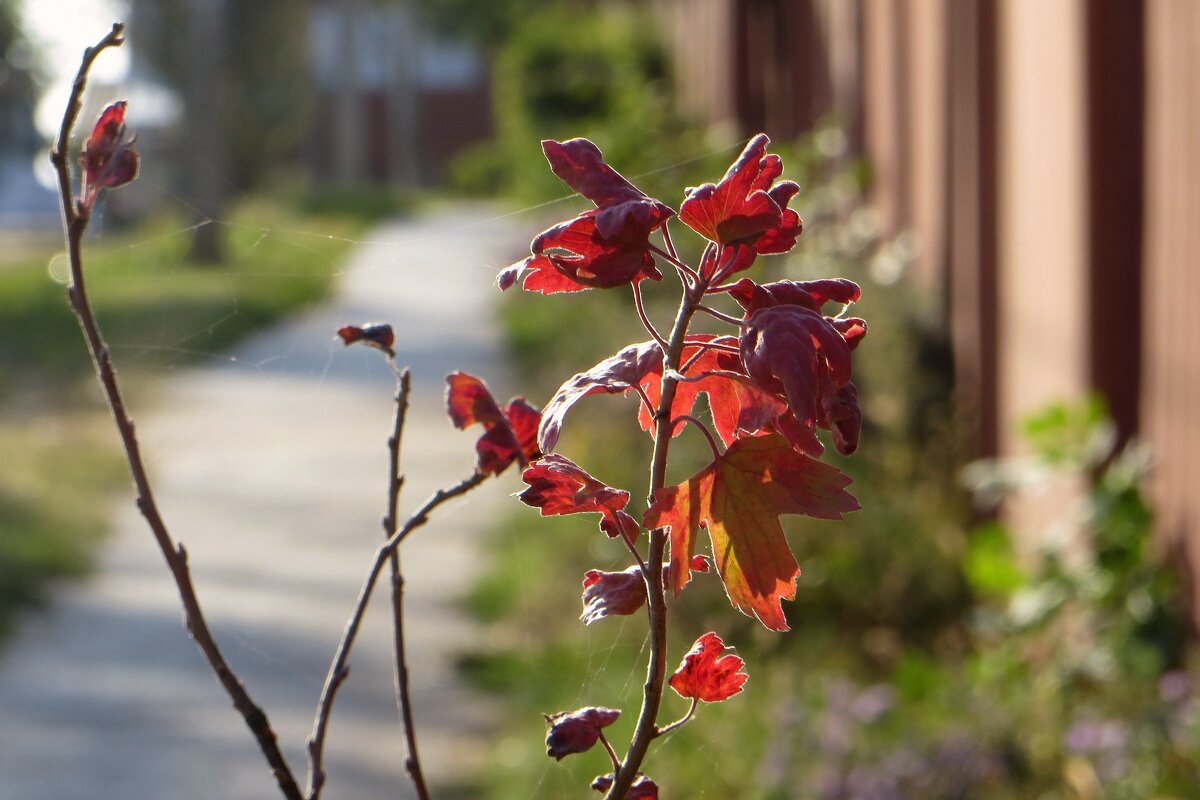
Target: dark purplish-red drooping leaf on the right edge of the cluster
(794, 352)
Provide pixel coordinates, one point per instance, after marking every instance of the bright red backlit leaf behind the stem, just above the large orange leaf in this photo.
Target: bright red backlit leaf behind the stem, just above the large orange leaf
(737, 406)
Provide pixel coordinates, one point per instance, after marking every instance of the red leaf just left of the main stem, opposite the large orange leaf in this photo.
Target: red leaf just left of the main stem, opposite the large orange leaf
(560, 486)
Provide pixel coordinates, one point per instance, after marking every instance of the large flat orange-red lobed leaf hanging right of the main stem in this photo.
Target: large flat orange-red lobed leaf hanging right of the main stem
(739, 500)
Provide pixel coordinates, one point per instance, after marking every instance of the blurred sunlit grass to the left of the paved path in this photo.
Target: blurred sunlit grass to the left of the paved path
(59, 458)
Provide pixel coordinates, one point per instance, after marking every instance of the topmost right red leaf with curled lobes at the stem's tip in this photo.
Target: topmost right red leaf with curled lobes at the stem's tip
(745, 209)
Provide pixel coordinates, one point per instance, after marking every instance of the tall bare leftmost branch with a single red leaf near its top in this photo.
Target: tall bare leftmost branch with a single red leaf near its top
(176, 556)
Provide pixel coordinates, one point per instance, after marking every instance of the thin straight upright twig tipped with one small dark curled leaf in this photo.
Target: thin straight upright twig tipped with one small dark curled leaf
(395, 482)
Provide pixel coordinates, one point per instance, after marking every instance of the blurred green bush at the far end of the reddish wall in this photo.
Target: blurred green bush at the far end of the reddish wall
(572, 71)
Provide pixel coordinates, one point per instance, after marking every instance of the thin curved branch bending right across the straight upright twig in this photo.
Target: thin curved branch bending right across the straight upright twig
(339, 669)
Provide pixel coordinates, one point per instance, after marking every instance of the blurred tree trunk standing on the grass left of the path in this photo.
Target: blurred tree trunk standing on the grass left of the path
(203, 131)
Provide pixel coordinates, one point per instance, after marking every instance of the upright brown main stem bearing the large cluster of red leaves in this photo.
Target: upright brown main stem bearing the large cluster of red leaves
(656, 605)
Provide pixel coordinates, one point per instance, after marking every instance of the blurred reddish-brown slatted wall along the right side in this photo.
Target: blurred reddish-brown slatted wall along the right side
(1046, 159)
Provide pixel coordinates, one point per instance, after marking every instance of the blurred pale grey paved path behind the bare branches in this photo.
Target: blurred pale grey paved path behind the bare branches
(272, 470)
